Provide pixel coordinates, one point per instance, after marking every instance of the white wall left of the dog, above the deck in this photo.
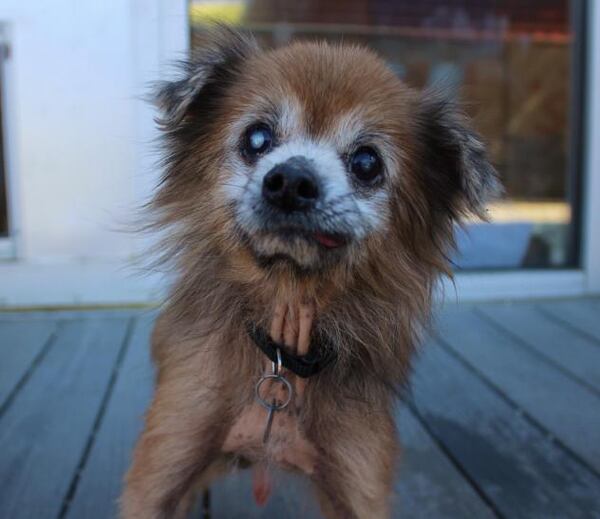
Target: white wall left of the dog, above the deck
(78, 153)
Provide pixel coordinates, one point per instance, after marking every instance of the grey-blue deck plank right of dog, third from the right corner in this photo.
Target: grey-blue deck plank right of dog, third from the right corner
(569, 411)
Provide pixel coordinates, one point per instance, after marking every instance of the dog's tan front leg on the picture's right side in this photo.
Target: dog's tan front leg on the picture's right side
(355, 472)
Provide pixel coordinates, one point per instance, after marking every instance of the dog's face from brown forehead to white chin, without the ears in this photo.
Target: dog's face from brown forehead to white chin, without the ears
(314, 153)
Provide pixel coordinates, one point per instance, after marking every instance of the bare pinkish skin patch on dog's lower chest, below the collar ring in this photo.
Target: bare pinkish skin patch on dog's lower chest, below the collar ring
(287, 444)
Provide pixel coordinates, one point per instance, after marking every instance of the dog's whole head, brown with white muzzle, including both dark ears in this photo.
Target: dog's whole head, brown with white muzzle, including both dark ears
(314, 156)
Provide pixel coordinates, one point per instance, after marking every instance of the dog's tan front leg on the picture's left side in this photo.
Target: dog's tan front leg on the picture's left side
(179, 443)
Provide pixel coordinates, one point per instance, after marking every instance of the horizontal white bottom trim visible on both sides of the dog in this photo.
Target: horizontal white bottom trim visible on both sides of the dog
(28, 284)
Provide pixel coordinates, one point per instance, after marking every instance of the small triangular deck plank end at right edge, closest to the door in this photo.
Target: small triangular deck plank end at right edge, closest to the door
(581, 314)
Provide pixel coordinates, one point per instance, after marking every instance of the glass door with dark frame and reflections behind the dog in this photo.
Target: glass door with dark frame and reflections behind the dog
(517, 66)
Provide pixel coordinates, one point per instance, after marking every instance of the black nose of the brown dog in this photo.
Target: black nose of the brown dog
(291, 185)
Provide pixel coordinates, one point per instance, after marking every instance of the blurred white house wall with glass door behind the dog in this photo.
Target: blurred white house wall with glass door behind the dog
(77, 154)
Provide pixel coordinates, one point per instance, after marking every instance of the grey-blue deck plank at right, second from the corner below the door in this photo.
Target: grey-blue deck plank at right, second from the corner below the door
(572, 352)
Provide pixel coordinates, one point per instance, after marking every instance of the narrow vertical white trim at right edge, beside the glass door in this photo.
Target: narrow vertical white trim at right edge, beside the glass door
(591, 186)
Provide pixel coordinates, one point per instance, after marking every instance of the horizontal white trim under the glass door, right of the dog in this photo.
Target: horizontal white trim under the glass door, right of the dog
(521, 284)
